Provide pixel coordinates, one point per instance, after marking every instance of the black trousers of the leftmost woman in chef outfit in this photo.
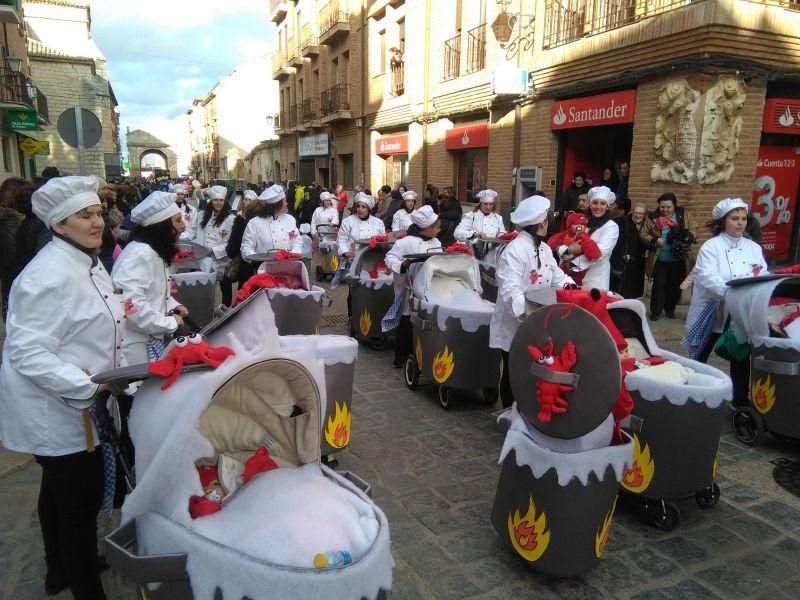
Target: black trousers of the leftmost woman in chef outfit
(70, 496)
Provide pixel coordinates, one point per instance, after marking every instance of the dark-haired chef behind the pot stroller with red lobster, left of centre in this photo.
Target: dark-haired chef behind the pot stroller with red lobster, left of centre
(272, 228)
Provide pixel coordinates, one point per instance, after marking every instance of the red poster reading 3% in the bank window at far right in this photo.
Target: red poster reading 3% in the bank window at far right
(775, 197)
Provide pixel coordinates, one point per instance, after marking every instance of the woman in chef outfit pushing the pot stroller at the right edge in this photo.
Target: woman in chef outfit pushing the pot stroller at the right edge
(727, 255)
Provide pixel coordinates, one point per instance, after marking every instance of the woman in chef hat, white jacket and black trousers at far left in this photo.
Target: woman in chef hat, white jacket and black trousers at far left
(64, 324)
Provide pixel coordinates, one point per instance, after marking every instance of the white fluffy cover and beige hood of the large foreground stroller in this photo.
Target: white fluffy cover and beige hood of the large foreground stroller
(262, 542)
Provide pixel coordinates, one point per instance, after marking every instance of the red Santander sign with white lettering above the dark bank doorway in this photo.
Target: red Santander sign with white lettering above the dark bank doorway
(604, 109)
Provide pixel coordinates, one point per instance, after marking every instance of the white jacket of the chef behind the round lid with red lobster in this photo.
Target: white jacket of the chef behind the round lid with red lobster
(520, 269)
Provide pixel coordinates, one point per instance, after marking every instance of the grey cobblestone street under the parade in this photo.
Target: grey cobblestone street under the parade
(434, 473)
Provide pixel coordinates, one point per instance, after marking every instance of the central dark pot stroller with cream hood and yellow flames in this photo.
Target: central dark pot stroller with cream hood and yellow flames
(450, 328)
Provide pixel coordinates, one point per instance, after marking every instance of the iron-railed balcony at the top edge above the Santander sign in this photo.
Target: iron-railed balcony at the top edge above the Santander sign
(570, 20)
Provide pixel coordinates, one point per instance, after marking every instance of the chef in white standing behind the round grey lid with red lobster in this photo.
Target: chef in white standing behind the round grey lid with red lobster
(527, 262)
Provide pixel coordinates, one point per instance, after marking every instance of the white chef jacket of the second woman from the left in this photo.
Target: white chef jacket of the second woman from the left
(143, 278)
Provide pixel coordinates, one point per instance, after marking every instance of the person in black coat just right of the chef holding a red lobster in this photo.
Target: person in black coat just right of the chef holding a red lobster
(628, 258)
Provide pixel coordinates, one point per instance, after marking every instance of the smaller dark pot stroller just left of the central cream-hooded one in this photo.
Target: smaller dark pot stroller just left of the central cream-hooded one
(371, 291)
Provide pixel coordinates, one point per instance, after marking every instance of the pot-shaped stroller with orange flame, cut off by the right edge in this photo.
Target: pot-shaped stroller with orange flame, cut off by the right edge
(765, 312)
